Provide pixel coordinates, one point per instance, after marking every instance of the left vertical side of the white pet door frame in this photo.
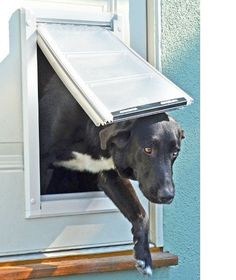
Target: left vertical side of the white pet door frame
(30, 112)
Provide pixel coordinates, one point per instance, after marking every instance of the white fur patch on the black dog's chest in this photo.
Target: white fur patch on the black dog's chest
(84, 162)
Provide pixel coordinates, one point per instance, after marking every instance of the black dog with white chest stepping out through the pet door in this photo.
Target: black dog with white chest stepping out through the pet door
(143, 149)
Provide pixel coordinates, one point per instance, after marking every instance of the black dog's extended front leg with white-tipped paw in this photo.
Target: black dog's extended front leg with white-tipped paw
(121, 192)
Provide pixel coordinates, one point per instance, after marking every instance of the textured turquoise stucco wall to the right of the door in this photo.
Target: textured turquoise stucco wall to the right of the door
(180, 62)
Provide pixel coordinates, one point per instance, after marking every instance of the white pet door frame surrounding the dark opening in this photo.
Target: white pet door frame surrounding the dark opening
(61, 204)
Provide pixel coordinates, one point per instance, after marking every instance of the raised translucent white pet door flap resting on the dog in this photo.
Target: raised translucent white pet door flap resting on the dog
(109, 80)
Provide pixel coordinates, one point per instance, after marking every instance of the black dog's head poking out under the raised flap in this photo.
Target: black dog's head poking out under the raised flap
(145, 150)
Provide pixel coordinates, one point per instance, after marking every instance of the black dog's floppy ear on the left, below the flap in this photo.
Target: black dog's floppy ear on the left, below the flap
(118, 134)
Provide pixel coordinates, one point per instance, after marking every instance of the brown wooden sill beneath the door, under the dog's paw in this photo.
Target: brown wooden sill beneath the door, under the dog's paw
(72, 265)
